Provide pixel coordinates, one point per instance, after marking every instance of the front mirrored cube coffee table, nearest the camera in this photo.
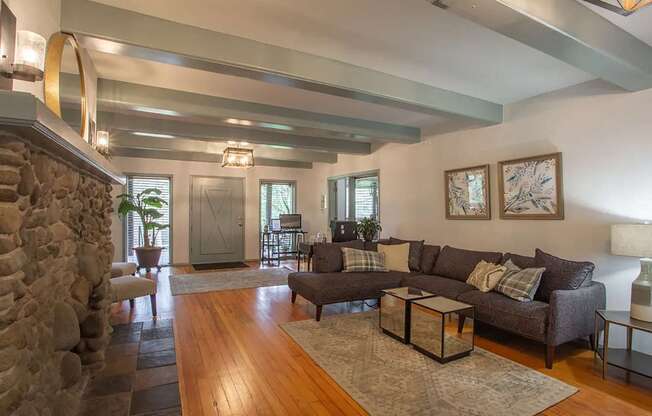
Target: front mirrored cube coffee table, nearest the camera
(432, 336)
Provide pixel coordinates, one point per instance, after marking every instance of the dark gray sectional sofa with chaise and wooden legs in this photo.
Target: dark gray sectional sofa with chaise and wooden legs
(563, 308)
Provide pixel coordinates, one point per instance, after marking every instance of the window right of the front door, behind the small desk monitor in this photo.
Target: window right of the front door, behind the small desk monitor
(277, 198)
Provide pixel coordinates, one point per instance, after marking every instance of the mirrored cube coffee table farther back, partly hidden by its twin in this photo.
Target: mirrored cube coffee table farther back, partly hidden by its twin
(395, 311)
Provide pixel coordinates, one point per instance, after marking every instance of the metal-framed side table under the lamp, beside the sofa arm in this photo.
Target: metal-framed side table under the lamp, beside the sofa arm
(624, 358)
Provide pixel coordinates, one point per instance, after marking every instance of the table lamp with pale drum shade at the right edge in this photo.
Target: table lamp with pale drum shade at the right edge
(636, 240)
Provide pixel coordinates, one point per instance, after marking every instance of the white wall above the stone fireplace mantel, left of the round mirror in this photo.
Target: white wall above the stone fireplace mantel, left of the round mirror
(42, 17)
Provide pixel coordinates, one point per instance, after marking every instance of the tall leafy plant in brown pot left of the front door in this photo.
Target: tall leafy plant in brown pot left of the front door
(146, 204)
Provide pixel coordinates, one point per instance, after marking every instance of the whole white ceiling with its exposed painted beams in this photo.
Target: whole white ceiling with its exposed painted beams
(306, 80)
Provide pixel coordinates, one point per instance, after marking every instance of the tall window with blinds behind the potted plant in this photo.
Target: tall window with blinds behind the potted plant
(134, 227)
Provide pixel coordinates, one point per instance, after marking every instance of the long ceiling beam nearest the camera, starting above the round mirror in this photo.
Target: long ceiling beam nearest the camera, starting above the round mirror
(119, 31)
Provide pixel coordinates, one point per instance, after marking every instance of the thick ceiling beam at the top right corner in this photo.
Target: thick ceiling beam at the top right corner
(568, 31)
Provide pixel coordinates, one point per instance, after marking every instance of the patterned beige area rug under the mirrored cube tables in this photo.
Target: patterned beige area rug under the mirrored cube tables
(387, 377)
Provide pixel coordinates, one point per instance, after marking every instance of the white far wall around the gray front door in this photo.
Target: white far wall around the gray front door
(181, 173)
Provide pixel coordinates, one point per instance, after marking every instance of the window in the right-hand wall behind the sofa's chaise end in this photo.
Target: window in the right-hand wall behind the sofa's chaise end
(354, 197)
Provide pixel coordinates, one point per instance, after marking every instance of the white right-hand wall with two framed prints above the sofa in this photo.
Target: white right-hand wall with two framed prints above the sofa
(605, 136)
